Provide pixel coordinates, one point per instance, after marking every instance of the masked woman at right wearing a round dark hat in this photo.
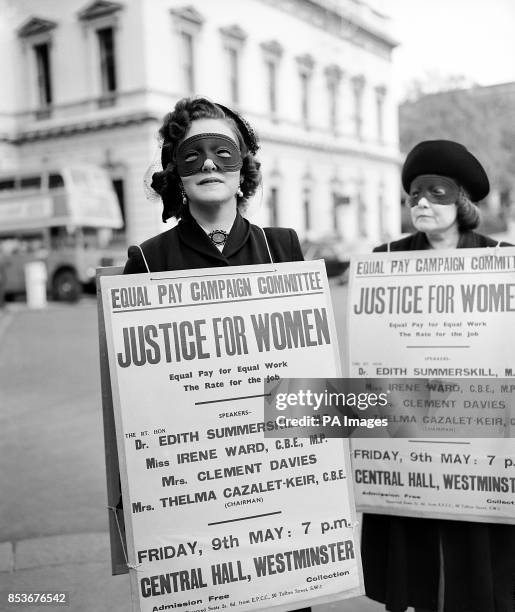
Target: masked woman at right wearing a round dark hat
(439, 565)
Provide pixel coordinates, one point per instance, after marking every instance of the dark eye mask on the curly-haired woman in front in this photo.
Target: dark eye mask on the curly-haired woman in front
(220, 149)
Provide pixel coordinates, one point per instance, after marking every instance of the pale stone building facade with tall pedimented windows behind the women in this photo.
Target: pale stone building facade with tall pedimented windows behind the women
(90, 81)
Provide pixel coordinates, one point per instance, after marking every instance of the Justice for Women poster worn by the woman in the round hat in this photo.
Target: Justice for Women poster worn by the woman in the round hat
(438, 315)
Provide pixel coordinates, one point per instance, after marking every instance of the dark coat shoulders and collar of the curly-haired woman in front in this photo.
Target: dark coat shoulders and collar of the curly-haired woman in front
(186, 246)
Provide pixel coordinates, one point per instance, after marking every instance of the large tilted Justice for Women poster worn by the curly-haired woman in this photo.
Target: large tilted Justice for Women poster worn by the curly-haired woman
(218, 516)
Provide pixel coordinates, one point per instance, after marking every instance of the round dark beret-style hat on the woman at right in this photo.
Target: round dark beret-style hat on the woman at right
(446, 158)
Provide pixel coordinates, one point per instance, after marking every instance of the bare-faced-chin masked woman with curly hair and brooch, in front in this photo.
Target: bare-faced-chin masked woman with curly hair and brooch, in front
(209, 172)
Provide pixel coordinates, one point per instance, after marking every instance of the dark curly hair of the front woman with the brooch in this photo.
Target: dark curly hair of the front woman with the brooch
(167, 183)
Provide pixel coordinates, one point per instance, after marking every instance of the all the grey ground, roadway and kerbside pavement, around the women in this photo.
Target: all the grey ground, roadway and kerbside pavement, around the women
(53, 519)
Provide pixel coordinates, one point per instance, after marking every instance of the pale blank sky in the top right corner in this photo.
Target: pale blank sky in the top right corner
(474, 38)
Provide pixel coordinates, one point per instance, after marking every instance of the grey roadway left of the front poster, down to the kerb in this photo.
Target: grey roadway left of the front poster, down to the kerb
(51, 423)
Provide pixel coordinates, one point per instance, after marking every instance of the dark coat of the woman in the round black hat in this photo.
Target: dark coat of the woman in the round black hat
(401, 556)
